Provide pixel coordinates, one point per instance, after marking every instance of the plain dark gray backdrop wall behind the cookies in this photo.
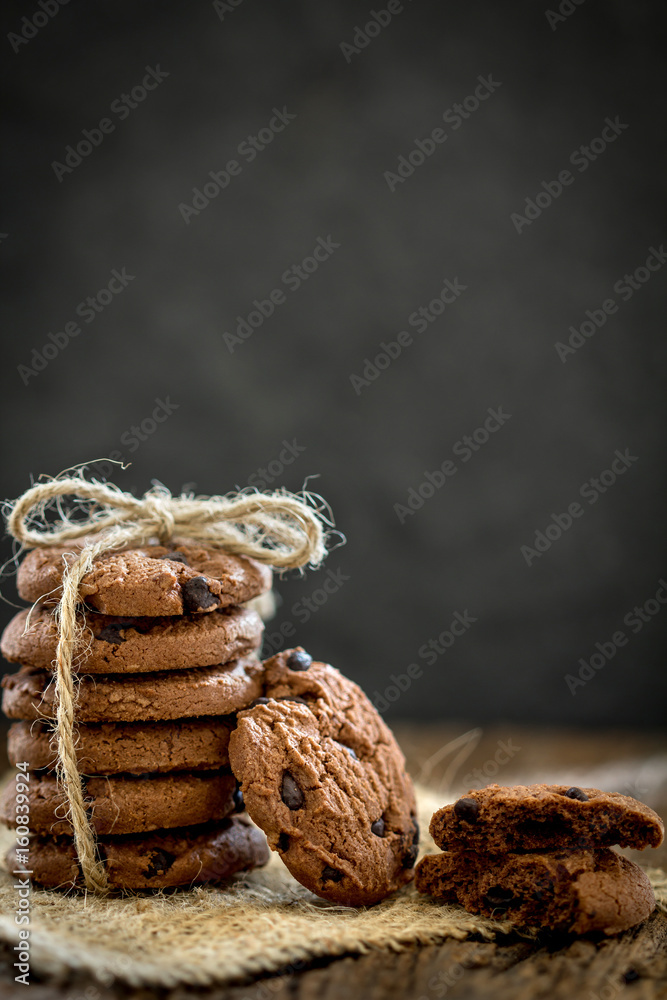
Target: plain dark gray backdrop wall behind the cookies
(162, 337)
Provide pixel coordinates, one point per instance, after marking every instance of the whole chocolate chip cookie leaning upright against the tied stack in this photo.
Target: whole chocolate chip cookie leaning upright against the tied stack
(323, 776)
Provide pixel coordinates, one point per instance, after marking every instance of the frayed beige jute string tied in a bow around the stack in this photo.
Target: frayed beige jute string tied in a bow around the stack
(278, 528)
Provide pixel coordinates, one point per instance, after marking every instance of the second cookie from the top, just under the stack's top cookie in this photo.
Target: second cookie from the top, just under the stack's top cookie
(139, 644)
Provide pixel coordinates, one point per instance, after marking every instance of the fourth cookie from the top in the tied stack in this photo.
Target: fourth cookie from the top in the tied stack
(129, 747)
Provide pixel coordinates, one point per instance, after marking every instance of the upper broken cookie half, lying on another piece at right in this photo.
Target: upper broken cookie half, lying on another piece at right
(497, 819)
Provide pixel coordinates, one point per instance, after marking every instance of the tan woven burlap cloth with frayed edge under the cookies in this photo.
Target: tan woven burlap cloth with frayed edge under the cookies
(259, 923)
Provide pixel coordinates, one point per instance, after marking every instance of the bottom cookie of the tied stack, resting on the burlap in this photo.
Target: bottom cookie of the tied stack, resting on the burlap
(196, 855)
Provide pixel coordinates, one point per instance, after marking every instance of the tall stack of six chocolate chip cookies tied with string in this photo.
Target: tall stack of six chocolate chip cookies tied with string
(171, 656)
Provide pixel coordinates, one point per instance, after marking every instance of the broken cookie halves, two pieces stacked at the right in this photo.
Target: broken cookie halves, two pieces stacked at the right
(540, 855)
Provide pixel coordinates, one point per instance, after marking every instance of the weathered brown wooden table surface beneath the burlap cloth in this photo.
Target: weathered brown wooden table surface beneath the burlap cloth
(632, 966)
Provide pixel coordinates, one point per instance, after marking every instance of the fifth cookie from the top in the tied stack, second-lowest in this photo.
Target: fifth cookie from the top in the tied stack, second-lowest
(126, 804)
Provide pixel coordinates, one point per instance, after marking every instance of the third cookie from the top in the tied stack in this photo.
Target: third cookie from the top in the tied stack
(179, 694)
